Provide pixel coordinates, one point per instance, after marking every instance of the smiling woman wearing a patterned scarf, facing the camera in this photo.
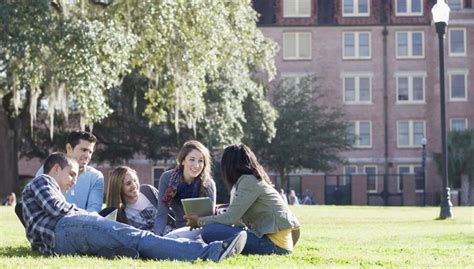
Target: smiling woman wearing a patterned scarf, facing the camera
(189, 179)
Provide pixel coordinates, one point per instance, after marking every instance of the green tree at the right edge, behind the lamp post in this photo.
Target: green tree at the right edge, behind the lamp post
(460, 159)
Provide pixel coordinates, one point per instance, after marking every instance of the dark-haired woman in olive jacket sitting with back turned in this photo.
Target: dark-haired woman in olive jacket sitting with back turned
(255, 207)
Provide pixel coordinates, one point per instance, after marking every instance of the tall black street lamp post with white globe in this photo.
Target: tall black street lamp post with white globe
(440, 13)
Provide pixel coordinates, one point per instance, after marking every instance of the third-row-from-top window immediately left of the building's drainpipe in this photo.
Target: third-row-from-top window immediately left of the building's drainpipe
(357, 88)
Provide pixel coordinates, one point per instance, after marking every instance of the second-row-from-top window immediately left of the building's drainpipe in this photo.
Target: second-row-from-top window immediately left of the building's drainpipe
(356, 45)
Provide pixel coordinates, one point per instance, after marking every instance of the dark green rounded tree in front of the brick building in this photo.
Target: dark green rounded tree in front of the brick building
(309, 134)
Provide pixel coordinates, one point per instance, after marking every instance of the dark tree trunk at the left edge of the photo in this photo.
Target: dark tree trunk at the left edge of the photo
(8, 156)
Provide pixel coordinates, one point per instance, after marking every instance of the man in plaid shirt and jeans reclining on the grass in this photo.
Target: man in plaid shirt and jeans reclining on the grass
(56, 227)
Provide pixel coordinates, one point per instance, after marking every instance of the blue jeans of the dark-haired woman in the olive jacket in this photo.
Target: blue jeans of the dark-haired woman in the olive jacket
(255, 245)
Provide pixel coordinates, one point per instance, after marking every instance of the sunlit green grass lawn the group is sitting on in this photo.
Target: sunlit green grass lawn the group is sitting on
(342, 236)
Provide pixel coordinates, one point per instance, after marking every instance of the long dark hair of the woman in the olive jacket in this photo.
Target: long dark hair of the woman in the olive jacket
(238, 160)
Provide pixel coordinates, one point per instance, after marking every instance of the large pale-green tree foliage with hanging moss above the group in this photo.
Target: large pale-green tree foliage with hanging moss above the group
(78, 52)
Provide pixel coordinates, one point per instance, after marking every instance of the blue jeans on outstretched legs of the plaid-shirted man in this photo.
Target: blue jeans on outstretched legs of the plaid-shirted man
(87, 234)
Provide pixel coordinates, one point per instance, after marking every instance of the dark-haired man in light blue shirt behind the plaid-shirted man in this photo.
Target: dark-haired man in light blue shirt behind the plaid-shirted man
(88, 193)
